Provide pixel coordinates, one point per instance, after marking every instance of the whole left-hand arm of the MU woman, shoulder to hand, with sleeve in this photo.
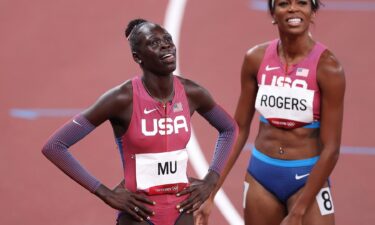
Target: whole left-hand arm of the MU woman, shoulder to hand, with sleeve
(115, 105)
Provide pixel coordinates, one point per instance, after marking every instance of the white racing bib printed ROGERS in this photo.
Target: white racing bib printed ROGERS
(280, 105)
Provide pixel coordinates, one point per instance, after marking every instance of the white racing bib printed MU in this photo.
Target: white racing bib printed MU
(161, 173)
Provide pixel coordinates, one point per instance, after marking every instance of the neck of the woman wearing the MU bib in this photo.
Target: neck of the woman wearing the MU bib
(159, 88)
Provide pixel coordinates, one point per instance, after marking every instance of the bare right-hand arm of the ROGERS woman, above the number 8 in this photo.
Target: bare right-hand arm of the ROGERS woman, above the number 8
(332, 86)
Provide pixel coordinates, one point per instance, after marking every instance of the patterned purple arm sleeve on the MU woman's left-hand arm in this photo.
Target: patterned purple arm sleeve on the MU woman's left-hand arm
(56, 150)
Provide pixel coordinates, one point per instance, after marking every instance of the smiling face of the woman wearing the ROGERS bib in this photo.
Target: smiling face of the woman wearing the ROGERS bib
(293, 16)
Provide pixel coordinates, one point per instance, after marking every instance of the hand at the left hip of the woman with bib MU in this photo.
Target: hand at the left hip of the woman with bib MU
(126, 201)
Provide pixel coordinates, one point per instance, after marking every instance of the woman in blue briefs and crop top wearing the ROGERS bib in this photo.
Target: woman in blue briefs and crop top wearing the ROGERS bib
(297, 85)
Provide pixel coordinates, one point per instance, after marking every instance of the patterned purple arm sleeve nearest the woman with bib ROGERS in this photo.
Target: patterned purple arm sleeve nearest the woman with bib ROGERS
(228, 132)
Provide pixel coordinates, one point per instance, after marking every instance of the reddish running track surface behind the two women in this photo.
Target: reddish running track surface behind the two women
(64, 54)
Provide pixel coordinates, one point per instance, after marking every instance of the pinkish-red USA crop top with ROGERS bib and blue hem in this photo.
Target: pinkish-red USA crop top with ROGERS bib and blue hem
(289, 99)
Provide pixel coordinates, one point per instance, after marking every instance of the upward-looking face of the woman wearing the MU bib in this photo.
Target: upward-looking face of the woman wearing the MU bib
(156, 50)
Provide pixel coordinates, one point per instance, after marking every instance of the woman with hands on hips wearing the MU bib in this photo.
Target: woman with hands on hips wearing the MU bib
(150, 116)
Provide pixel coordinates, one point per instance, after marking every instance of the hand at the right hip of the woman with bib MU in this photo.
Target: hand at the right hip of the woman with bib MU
(199, 191)
